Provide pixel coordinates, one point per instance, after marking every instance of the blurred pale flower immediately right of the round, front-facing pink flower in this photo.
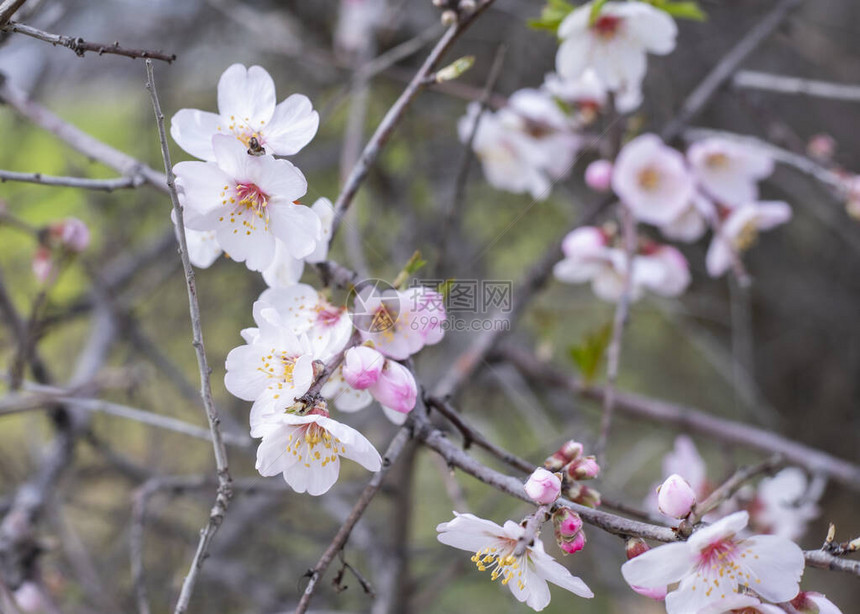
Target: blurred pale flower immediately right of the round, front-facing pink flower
(728, 172)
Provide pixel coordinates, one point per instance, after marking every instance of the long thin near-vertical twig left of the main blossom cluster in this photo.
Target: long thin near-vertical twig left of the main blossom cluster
(224, 492)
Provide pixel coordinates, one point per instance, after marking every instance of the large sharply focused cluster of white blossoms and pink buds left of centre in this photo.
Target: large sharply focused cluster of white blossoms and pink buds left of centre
(304, 353)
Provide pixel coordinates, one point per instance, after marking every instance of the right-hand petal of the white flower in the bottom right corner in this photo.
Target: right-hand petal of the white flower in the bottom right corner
(777, 564)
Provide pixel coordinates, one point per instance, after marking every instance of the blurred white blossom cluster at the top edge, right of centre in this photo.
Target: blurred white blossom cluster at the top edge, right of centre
(533, 140)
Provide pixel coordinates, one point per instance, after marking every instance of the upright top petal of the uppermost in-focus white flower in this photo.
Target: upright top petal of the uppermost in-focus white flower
(246, 96)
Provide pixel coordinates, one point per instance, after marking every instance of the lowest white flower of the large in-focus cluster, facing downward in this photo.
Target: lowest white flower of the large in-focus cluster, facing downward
(307, 450)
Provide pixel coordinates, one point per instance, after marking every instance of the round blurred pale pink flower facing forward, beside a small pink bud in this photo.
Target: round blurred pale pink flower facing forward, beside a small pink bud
(652, 180)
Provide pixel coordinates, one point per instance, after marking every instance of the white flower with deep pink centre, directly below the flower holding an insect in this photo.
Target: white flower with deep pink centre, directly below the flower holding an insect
(248, 201)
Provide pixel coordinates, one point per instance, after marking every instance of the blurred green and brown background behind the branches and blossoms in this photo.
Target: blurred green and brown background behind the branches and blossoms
(796, 371)
